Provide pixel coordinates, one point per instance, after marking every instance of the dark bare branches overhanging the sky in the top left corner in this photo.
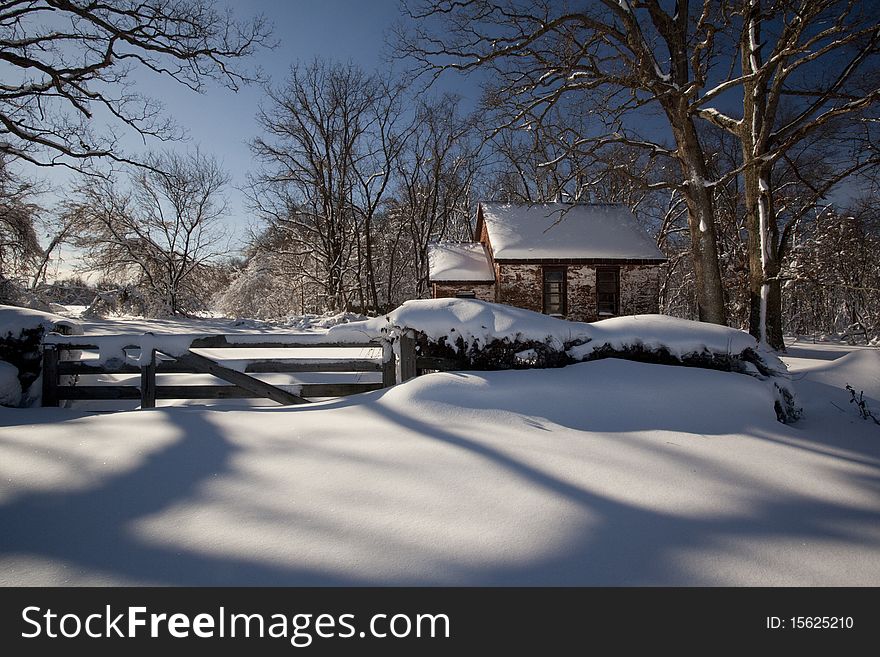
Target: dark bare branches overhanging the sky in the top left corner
(69, 64)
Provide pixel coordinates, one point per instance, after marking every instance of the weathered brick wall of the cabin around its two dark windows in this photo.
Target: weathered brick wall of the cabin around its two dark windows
(522, 286)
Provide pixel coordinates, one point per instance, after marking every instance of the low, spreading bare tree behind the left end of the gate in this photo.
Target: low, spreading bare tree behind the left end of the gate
(162, 232)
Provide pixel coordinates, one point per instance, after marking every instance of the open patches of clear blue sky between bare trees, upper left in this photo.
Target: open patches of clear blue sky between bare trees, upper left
(222, 123)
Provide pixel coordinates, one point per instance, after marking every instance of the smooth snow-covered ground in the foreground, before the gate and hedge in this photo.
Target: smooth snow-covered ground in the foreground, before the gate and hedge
(607, 472)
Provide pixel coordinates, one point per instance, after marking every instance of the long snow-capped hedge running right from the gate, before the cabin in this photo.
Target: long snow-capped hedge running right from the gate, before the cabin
(487, 336)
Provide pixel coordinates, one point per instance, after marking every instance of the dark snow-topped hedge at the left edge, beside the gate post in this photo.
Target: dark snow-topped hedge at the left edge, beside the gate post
(21, 335)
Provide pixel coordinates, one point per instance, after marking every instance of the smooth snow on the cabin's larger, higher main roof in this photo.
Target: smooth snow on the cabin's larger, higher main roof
(566, 231)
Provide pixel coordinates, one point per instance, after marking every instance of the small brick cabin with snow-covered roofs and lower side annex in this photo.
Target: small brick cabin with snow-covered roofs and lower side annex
(580, 261)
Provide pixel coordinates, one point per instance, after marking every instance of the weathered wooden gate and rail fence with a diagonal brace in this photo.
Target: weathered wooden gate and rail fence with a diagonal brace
(61, 373)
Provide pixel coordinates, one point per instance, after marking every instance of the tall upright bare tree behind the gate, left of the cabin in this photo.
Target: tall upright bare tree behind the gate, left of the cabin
(326, 157)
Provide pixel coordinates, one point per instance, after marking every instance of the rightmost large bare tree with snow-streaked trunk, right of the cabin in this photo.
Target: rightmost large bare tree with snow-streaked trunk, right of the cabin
(805, 67)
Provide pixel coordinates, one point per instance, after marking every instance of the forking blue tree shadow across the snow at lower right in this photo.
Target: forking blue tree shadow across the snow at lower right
(631, 545)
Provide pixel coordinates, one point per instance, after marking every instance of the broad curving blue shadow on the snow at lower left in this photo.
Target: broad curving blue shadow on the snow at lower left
(92, 533)
